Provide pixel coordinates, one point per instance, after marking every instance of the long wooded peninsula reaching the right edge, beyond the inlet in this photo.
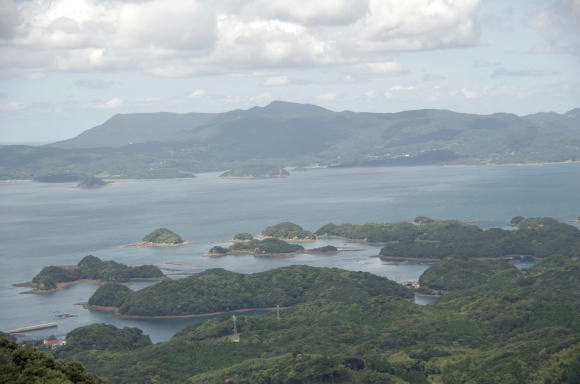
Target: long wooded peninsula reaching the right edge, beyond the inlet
(436, 239)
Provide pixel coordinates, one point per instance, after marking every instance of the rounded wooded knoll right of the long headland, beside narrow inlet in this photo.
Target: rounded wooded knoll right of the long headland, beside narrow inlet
(456, 273)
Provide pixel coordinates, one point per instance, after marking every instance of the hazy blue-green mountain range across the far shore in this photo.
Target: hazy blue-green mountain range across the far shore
(157, 145)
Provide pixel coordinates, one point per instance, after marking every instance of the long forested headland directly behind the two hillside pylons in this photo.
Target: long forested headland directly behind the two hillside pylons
(218, 290)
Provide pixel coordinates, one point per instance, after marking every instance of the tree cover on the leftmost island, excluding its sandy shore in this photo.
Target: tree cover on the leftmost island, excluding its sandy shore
(93, 268)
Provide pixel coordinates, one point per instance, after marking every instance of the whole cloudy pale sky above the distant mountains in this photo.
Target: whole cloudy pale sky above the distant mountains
(69, 65)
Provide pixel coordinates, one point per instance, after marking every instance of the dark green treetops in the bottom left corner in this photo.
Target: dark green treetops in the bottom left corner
(21, 364)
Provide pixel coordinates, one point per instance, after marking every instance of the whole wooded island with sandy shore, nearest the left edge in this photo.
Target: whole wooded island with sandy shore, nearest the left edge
(89, 269)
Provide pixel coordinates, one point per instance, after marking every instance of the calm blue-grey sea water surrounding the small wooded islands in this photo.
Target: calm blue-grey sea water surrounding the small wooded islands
(58, 224)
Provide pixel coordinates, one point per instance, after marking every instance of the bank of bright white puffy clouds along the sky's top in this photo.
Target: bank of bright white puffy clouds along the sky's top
(186, 37)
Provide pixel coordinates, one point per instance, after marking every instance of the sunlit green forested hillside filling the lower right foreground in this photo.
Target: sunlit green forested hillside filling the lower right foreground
(520, 327)
